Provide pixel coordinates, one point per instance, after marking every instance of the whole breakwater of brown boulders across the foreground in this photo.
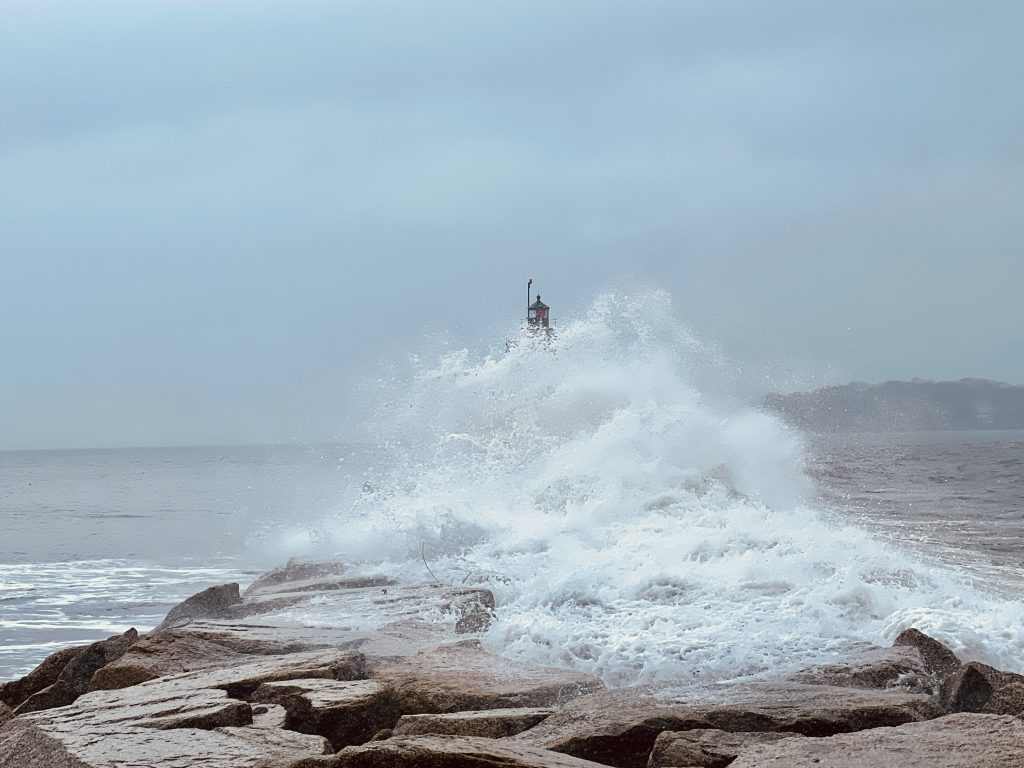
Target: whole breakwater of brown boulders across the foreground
(237, 681)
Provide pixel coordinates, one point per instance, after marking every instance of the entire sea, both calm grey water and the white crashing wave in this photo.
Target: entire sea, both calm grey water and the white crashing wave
(634, 519)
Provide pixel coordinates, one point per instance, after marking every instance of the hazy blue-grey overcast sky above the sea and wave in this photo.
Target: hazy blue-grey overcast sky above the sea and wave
(219, 218)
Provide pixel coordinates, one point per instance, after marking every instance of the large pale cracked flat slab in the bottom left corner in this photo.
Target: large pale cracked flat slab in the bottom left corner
(154, 726)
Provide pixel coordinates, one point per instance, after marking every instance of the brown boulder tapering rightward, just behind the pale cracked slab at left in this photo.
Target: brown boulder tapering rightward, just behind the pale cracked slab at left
(176, 652)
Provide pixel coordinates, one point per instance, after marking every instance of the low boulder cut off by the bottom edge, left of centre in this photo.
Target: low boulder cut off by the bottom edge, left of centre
(447, 752)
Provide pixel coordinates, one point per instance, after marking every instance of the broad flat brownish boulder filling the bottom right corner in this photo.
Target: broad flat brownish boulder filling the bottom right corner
(965, 741)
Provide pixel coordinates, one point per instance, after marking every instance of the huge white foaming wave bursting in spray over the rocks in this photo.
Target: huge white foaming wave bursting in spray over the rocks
(633, 521)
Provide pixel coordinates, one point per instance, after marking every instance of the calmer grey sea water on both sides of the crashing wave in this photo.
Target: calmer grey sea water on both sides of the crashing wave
(94, 542)
